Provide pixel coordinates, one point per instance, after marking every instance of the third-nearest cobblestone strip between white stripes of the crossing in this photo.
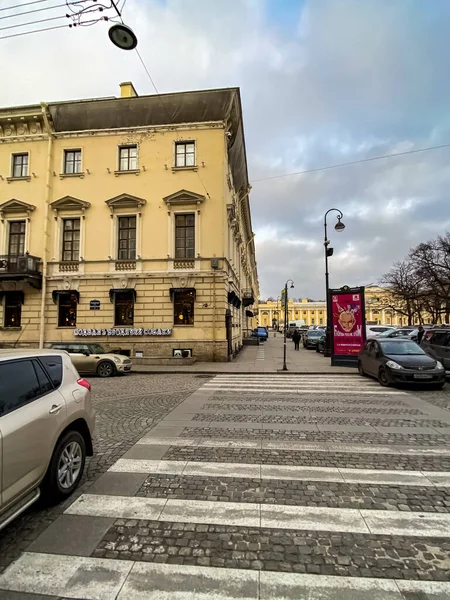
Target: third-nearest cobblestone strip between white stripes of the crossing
(310, 458)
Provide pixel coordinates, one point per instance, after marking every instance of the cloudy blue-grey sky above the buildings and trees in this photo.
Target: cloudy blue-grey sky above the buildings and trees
(322, 81)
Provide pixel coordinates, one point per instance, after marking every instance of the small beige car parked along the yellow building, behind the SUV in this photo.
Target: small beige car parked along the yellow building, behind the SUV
(93, 359)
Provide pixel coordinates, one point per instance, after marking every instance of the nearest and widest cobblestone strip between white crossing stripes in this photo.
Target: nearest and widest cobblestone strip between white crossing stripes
(278, 550)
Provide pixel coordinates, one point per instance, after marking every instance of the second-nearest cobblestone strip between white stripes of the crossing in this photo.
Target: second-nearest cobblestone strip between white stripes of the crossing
(298, 493)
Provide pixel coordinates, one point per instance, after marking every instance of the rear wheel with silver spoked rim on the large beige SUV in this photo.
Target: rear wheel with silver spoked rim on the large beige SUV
(66, 467)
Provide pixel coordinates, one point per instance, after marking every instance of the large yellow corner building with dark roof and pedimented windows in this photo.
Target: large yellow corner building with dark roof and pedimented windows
(127, 221)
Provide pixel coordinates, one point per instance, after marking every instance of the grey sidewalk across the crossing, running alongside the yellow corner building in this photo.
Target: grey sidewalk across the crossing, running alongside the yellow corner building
(265, 358)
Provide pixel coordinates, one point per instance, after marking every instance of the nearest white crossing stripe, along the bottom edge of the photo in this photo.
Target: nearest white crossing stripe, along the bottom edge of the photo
(104, 579)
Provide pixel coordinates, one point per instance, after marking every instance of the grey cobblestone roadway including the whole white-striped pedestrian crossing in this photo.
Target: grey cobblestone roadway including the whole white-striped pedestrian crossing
(241, 482)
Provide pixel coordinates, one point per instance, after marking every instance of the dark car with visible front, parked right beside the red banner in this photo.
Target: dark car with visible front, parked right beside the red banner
(399, 361)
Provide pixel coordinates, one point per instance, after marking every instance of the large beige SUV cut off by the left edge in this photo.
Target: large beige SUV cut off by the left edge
(46, 427)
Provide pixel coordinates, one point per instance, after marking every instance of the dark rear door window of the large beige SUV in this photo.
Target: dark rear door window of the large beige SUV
(18, 385)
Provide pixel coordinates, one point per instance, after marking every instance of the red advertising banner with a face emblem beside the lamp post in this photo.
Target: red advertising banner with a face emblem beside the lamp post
(347, 322)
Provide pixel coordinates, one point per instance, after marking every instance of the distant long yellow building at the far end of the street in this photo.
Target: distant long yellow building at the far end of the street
(378, 310)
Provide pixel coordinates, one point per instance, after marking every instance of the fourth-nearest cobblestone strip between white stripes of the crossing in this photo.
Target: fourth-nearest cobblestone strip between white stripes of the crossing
(355, 437)
